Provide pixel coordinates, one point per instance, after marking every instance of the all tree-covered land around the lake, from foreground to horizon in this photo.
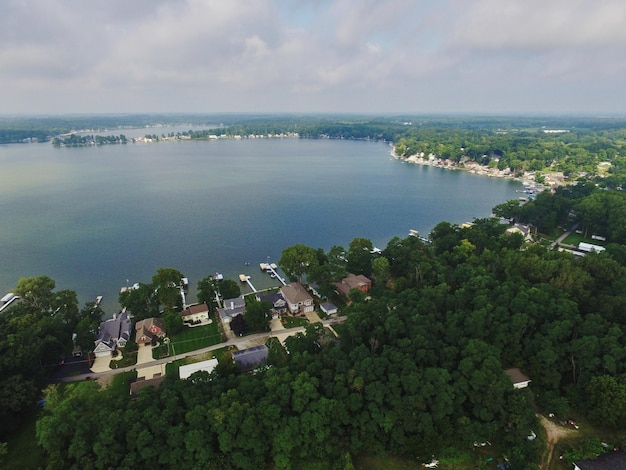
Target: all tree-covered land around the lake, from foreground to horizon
(416, 371)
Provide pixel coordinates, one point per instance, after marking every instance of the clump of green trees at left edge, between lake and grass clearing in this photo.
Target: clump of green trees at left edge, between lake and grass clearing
(37, 336)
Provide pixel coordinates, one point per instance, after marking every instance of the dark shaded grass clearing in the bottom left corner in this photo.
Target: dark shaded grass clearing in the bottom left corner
(24, 453)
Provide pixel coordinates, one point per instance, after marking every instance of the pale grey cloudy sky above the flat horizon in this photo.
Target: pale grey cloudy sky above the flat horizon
(375, 56)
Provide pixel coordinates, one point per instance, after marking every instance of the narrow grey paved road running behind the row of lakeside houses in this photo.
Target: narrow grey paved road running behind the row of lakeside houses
(230, 342)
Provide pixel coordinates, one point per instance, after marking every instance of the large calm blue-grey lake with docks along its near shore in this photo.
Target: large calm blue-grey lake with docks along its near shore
(93, 217)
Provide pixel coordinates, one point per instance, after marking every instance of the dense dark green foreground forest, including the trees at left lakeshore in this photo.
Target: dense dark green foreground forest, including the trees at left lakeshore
(417, 370)
